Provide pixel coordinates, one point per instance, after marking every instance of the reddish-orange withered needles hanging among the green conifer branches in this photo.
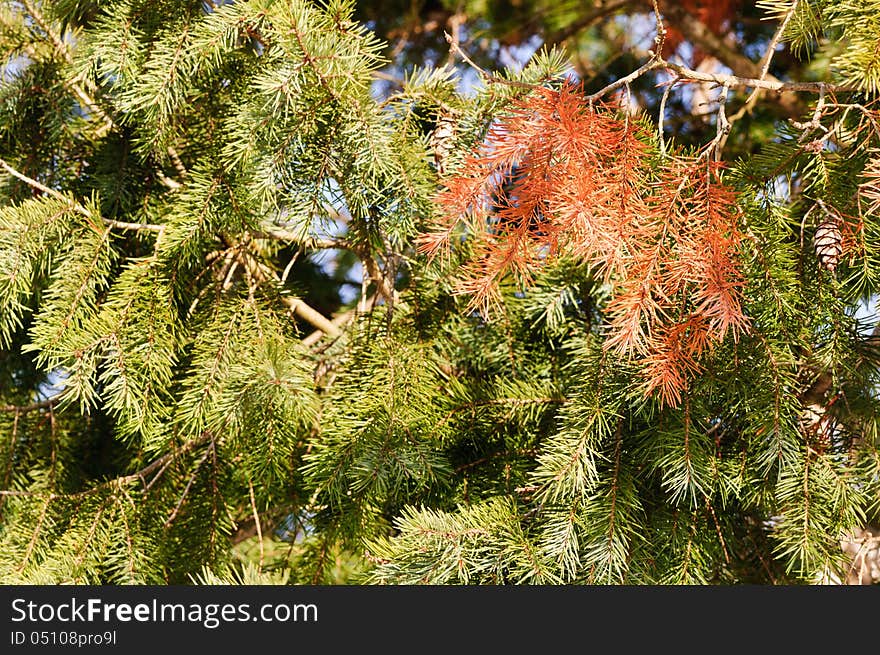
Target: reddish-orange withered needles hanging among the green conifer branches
(561, 176)
